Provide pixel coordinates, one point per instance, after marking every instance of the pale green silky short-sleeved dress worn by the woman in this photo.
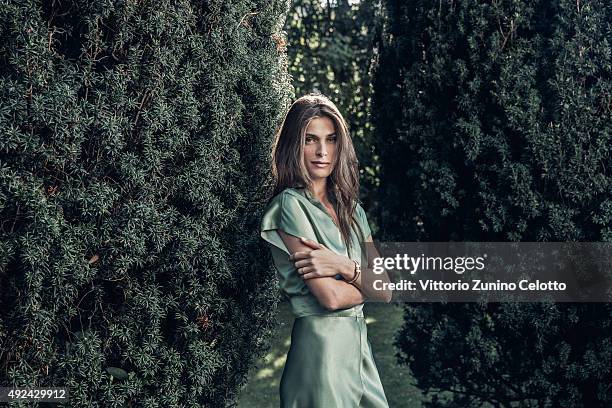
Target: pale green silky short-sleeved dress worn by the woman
(330, 361)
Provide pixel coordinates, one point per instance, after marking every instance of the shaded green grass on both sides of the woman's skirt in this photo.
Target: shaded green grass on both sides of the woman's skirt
(383, 322)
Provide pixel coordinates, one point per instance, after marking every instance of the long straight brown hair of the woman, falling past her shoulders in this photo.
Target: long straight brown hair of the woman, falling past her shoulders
(288, 166)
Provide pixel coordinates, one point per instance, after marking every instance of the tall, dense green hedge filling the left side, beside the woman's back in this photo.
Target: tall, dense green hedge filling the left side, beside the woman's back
(134, 139)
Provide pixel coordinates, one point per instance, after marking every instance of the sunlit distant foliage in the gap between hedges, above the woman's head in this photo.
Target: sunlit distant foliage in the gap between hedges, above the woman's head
(331, 50)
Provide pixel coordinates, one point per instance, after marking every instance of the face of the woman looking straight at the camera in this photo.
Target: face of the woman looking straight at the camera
(320, 147)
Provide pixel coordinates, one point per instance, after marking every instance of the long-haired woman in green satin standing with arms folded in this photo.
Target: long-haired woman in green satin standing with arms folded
(315, 229)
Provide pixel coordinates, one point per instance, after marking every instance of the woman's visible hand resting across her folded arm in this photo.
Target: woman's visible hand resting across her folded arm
(320, 261)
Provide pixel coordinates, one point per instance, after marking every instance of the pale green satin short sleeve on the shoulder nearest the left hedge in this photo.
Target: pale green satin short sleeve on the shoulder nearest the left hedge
(285, 212)
